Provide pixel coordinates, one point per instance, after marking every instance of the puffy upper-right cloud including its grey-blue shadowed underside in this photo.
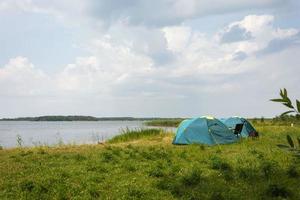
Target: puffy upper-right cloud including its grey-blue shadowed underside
(256, 35)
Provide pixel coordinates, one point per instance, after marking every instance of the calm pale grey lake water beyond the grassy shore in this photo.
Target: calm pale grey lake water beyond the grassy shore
(52, 133)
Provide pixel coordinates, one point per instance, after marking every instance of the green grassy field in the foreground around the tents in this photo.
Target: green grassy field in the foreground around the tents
(146, 165)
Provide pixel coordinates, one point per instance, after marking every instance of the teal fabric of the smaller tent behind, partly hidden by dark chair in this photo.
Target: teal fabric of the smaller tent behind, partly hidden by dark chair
(233, 121)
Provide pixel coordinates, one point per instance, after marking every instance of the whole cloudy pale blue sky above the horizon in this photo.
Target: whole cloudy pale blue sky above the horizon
(148, 58)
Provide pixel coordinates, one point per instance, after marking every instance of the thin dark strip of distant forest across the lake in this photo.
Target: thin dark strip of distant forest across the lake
(77, 118)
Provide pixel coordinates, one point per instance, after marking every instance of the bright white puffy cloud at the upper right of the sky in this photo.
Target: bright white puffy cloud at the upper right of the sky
(261, 31)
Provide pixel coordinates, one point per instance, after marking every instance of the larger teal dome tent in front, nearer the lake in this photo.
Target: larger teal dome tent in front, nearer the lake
(203, 130)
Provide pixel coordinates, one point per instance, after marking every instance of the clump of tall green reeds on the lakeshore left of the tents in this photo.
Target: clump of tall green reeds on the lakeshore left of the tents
(129, 135)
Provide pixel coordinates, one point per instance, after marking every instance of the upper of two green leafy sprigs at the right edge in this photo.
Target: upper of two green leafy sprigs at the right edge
(286, 101)
